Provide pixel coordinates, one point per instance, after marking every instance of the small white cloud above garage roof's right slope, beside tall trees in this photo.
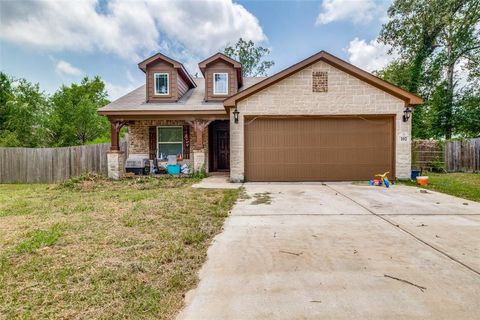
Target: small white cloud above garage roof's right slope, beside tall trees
(369, 56)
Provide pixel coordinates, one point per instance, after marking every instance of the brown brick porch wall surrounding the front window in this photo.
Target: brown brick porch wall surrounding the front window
(138, 144)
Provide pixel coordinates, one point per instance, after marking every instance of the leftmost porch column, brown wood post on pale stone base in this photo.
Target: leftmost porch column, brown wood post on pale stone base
(115, 157)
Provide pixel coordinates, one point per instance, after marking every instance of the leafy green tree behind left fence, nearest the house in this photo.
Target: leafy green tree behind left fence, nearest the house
(74, 119)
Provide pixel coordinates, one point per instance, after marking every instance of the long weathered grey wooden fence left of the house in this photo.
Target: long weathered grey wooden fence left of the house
(46, 165)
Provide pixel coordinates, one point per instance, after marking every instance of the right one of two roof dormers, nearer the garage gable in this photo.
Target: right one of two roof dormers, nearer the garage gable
(223, 76)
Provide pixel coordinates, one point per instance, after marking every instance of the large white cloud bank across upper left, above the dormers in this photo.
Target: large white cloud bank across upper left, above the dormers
(129, 29)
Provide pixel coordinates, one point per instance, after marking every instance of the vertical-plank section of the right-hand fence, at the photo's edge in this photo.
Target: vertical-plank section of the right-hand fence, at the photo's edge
(462, 156)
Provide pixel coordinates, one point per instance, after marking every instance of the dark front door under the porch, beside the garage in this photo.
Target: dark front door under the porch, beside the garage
(220, 146)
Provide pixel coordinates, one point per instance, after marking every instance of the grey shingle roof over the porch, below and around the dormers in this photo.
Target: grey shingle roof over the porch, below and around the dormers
(193, 100)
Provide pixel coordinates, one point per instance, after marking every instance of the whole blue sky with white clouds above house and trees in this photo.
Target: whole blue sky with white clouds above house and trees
(55, 42)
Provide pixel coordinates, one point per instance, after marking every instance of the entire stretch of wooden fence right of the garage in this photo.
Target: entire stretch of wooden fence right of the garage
(450, 156)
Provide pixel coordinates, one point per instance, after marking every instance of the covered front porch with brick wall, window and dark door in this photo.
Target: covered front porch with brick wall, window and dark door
(202, 144)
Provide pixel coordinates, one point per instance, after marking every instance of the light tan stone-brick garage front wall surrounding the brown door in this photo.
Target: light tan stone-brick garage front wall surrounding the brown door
(346, 95)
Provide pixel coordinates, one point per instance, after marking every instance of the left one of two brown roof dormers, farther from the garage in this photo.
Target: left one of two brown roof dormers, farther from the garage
(167, 80)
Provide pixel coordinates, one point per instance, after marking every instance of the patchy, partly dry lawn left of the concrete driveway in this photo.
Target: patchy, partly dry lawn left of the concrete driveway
(96, 249)
